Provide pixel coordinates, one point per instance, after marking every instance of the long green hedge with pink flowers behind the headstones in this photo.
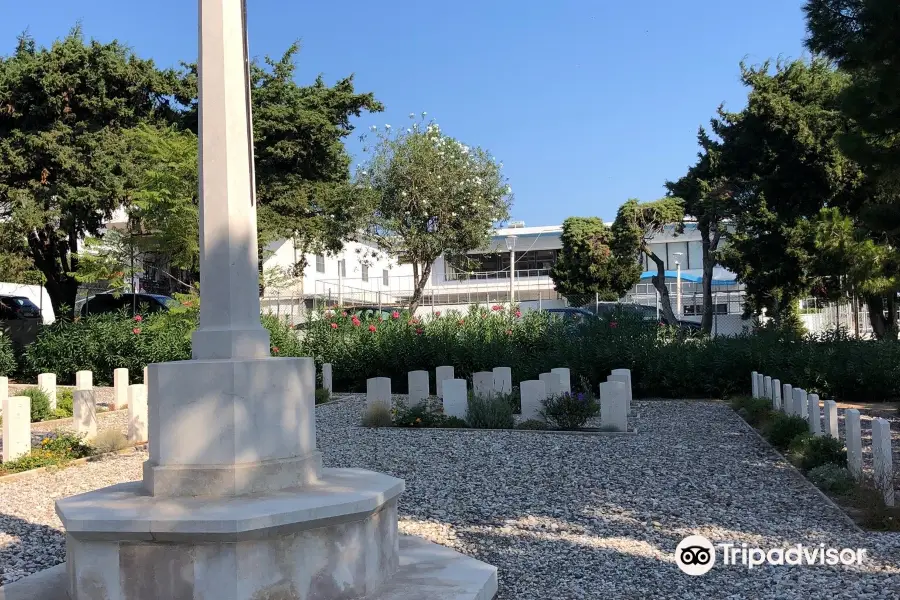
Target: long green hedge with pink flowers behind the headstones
(663, 364)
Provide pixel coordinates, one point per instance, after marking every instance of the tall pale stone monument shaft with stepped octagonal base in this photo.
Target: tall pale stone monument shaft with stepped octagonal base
(234, 503)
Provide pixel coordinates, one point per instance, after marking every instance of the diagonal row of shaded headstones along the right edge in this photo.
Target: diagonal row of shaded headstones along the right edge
(796, 402)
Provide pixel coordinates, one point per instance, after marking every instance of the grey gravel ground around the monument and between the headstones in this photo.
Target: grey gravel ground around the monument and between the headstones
(561, 516)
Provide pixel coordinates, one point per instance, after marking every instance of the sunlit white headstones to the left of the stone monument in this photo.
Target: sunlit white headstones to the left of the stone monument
(17, 409)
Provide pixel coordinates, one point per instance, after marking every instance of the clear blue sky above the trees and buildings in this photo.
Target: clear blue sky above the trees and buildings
(586, 102)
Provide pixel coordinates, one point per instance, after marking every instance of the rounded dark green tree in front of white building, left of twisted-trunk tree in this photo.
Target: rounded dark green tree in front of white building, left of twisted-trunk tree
(587, 265)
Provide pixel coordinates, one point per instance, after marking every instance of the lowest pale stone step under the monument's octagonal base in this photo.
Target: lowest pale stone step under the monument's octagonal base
(426, 571)
